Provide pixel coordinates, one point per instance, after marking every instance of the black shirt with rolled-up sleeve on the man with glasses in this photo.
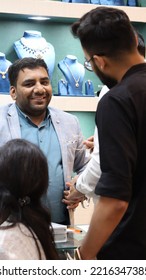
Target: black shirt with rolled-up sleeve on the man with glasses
(121, 122)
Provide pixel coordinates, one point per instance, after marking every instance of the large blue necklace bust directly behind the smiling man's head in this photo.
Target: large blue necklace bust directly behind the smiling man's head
(32, 44)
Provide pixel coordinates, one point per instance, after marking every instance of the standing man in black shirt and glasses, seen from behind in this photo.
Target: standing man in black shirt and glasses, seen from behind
(118, 225)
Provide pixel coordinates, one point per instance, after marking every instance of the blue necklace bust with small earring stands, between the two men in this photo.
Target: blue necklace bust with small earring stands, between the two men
(74, 73)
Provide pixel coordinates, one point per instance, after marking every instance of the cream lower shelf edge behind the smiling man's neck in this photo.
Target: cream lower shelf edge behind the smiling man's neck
(81, 104)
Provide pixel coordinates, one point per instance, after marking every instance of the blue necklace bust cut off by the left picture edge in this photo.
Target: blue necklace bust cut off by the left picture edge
(4, 81)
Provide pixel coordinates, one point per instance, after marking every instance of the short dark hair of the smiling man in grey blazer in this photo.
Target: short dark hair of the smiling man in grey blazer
(21, 64)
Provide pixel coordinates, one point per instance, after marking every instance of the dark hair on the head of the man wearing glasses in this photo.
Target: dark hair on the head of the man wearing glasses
(105, 31)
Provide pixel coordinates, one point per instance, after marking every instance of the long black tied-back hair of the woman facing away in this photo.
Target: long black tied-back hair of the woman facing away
(24, 176)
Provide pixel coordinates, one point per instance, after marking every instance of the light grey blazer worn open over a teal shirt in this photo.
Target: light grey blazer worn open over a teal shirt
(68, 131)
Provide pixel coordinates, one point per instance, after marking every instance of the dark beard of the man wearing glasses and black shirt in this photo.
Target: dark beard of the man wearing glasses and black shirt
(105, 79)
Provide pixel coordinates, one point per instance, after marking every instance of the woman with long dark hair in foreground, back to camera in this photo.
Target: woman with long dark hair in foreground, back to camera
(25, 225)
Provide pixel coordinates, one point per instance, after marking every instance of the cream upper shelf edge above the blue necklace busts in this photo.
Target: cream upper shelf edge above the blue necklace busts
(58, 9)
